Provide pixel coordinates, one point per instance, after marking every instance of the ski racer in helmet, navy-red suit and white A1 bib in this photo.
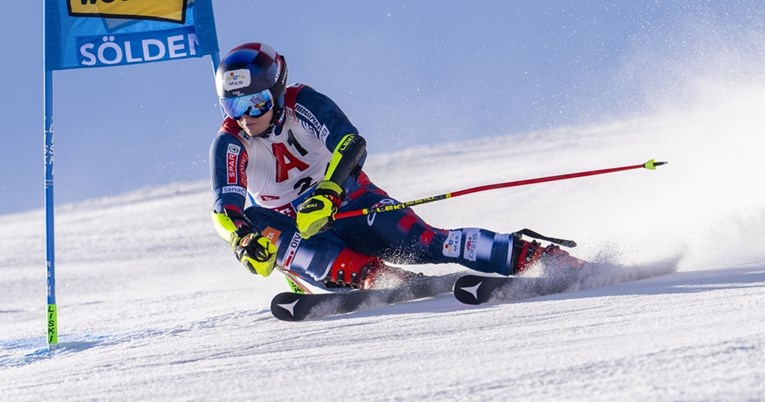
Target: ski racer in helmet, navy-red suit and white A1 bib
(293, 153)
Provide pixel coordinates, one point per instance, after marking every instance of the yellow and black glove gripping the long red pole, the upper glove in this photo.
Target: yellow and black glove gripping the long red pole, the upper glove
(315, 213)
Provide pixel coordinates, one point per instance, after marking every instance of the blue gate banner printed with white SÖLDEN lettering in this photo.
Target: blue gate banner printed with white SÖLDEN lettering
(102, 33)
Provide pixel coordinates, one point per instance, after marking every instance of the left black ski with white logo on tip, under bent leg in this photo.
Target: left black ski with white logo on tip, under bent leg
(289, 306)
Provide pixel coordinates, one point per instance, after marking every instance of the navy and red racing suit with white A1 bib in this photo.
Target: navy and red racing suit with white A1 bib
(278, 171)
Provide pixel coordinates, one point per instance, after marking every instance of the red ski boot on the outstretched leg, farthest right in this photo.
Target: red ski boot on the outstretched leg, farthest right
(527, 254)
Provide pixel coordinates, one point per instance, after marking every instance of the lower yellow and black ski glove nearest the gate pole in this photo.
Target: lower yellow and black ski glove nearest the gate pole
(254, 251)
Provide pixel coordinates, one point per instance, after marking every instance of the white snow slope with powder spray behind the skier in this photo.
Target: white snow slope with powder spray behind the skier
(153, 305)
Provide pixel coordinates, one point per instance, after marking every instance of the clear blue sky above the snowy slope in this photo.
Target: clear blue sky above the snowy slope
(406, 73)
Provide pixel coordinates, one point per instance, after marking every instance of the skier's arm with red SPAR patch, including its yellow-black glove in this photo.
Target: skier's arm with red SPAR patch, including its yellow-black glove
(228, 164)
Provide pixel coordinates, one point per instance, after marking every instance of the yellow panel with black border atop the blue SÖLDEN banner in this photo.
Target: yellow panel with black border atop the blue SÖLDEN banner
(166, 10)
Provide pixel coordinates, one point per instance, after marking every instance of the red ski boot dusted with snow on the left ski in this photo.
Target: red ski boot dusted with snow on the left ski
(360, 271)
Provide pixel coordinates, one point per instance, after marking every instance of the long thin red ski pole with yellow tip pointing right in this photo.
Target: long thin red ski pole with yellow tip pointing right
(651, 165)
